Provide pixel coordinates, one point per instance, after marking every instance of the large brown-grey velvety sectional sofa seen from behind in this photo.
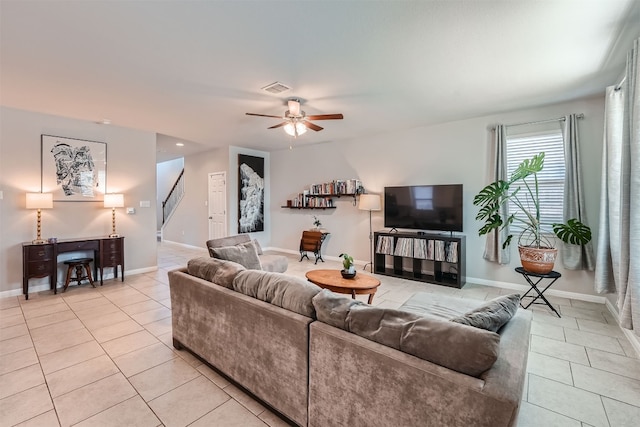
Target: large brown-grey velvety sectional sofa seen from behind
(320, 359)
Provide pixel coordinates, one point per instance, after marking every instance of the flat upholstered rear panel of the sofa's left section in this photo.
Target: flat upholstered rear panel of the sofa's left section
(262, 347)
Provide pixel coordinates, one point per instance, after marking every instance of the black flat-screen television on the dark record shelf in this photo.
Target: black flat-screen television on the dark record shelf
(424, 207)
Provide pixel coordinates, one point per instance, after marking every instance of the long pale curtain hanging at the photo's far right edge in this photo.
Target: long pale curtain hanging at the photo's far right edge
(617, 265)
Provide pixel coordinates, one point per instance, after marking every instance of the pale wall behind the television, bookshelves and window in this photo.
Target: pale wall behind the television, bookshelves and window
(455, 152)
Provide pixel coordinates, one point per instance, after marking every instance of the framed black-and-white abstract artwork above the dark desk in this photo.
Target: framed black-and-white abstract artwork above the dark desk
(74, 170)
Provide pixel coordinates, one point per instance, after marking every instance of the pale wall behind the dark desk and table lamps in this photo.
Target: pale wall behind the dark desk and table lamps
(130, 170)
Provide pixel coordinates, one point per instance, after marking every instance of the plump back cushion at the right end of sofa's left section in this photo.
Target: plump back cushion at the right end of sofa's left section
(288, 292)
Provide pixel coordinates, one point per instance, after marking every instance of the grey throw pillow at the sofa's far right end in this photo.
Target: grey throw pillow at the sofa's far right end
(491, 315)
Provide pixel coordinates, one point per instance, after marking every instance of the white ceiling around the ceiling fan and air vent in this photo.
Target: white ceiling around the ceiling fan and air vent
(192, 69)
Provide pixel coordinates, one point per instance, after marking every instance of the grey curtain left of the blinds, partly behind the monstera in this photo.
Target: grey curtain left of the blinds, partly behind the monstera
(493, 247)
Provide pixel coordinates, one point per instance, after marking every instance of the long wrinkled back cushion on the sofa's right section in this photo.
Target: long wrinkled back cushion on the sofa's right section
(458, 347)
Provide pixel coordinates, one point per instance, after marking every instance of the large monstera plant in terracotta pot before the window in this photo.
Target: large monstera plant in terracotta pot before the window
(537, 252)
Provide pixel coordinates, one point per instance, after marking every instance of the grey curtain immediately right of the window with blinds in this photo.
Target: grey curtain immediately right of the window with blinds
(574, 257)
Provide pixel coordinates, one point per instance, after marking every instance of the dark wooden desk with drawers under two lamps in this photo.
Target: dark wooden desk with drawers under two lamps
(41, 260)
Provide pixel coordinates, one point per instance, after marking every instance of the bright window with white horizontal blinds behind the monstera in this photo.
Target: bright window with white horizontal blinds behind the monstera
(550, 180)
